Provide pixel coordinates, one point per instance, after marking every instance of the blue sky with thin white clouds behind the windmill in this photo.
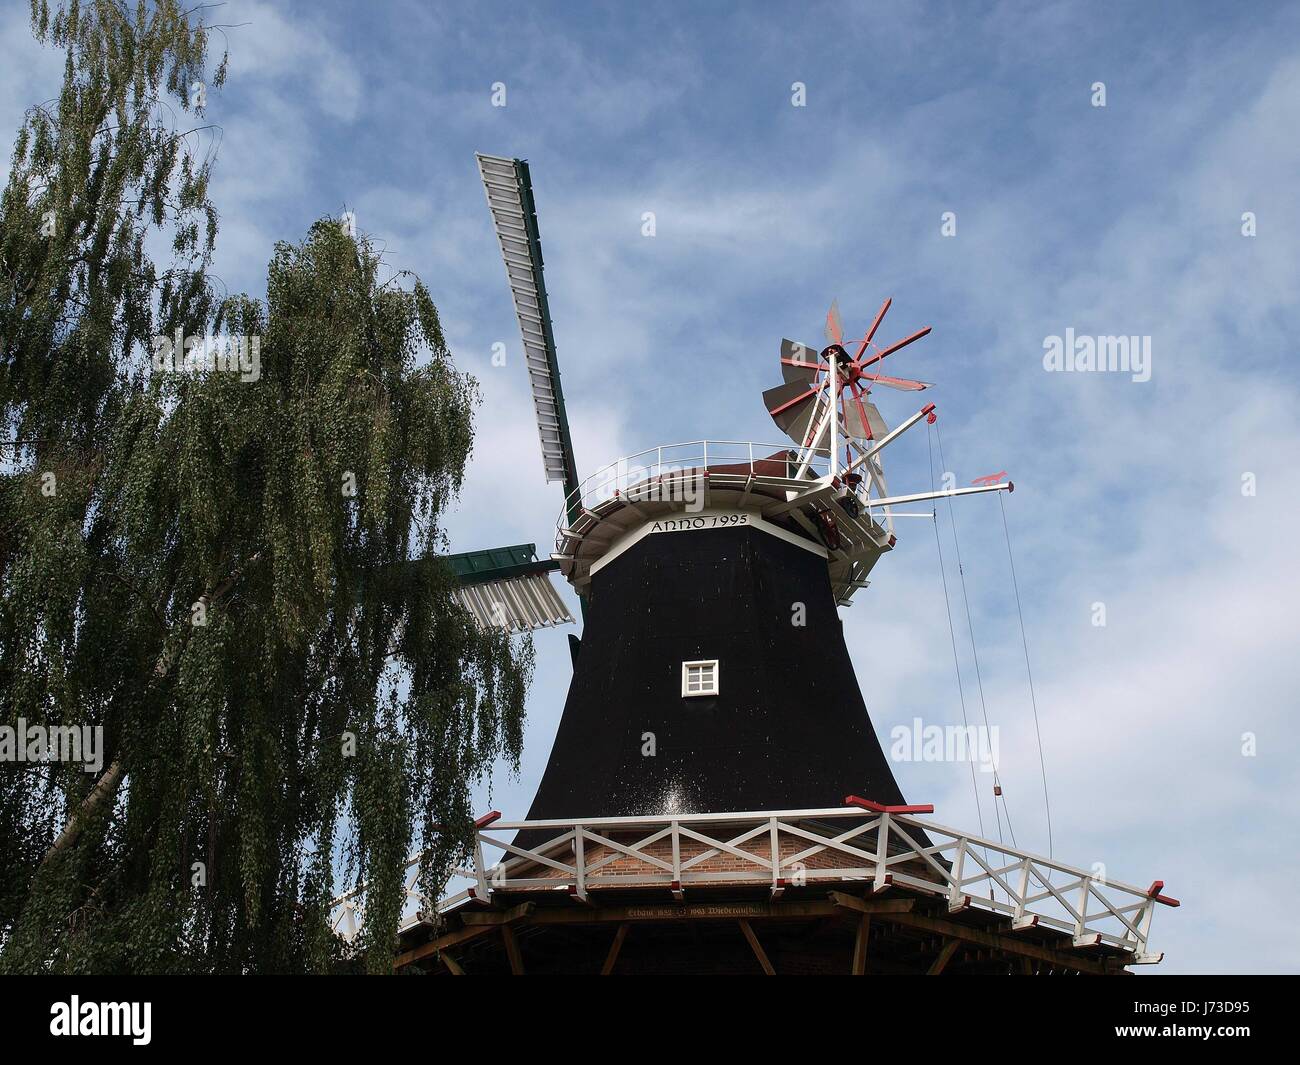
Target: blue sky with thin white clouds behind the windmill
(1169, 214)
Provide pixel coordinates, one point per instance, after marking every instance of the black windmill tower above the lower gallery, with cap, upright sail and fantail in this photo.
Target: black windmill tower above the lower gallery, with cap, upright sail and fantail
(713, 674)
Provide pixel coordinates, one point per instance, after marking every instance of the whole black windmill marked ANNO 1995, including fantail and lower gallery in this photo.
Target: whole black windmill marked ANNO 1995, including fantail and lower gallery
(717, 798)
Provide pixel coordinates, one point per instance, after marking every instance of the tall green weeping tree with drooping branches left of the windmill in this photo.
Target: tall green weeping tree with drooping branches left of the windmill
(227, 565)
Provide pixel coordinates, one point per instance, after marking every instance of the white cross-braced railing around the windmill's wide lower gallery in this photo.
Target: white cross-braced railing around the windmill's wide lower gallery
(878, 846)
